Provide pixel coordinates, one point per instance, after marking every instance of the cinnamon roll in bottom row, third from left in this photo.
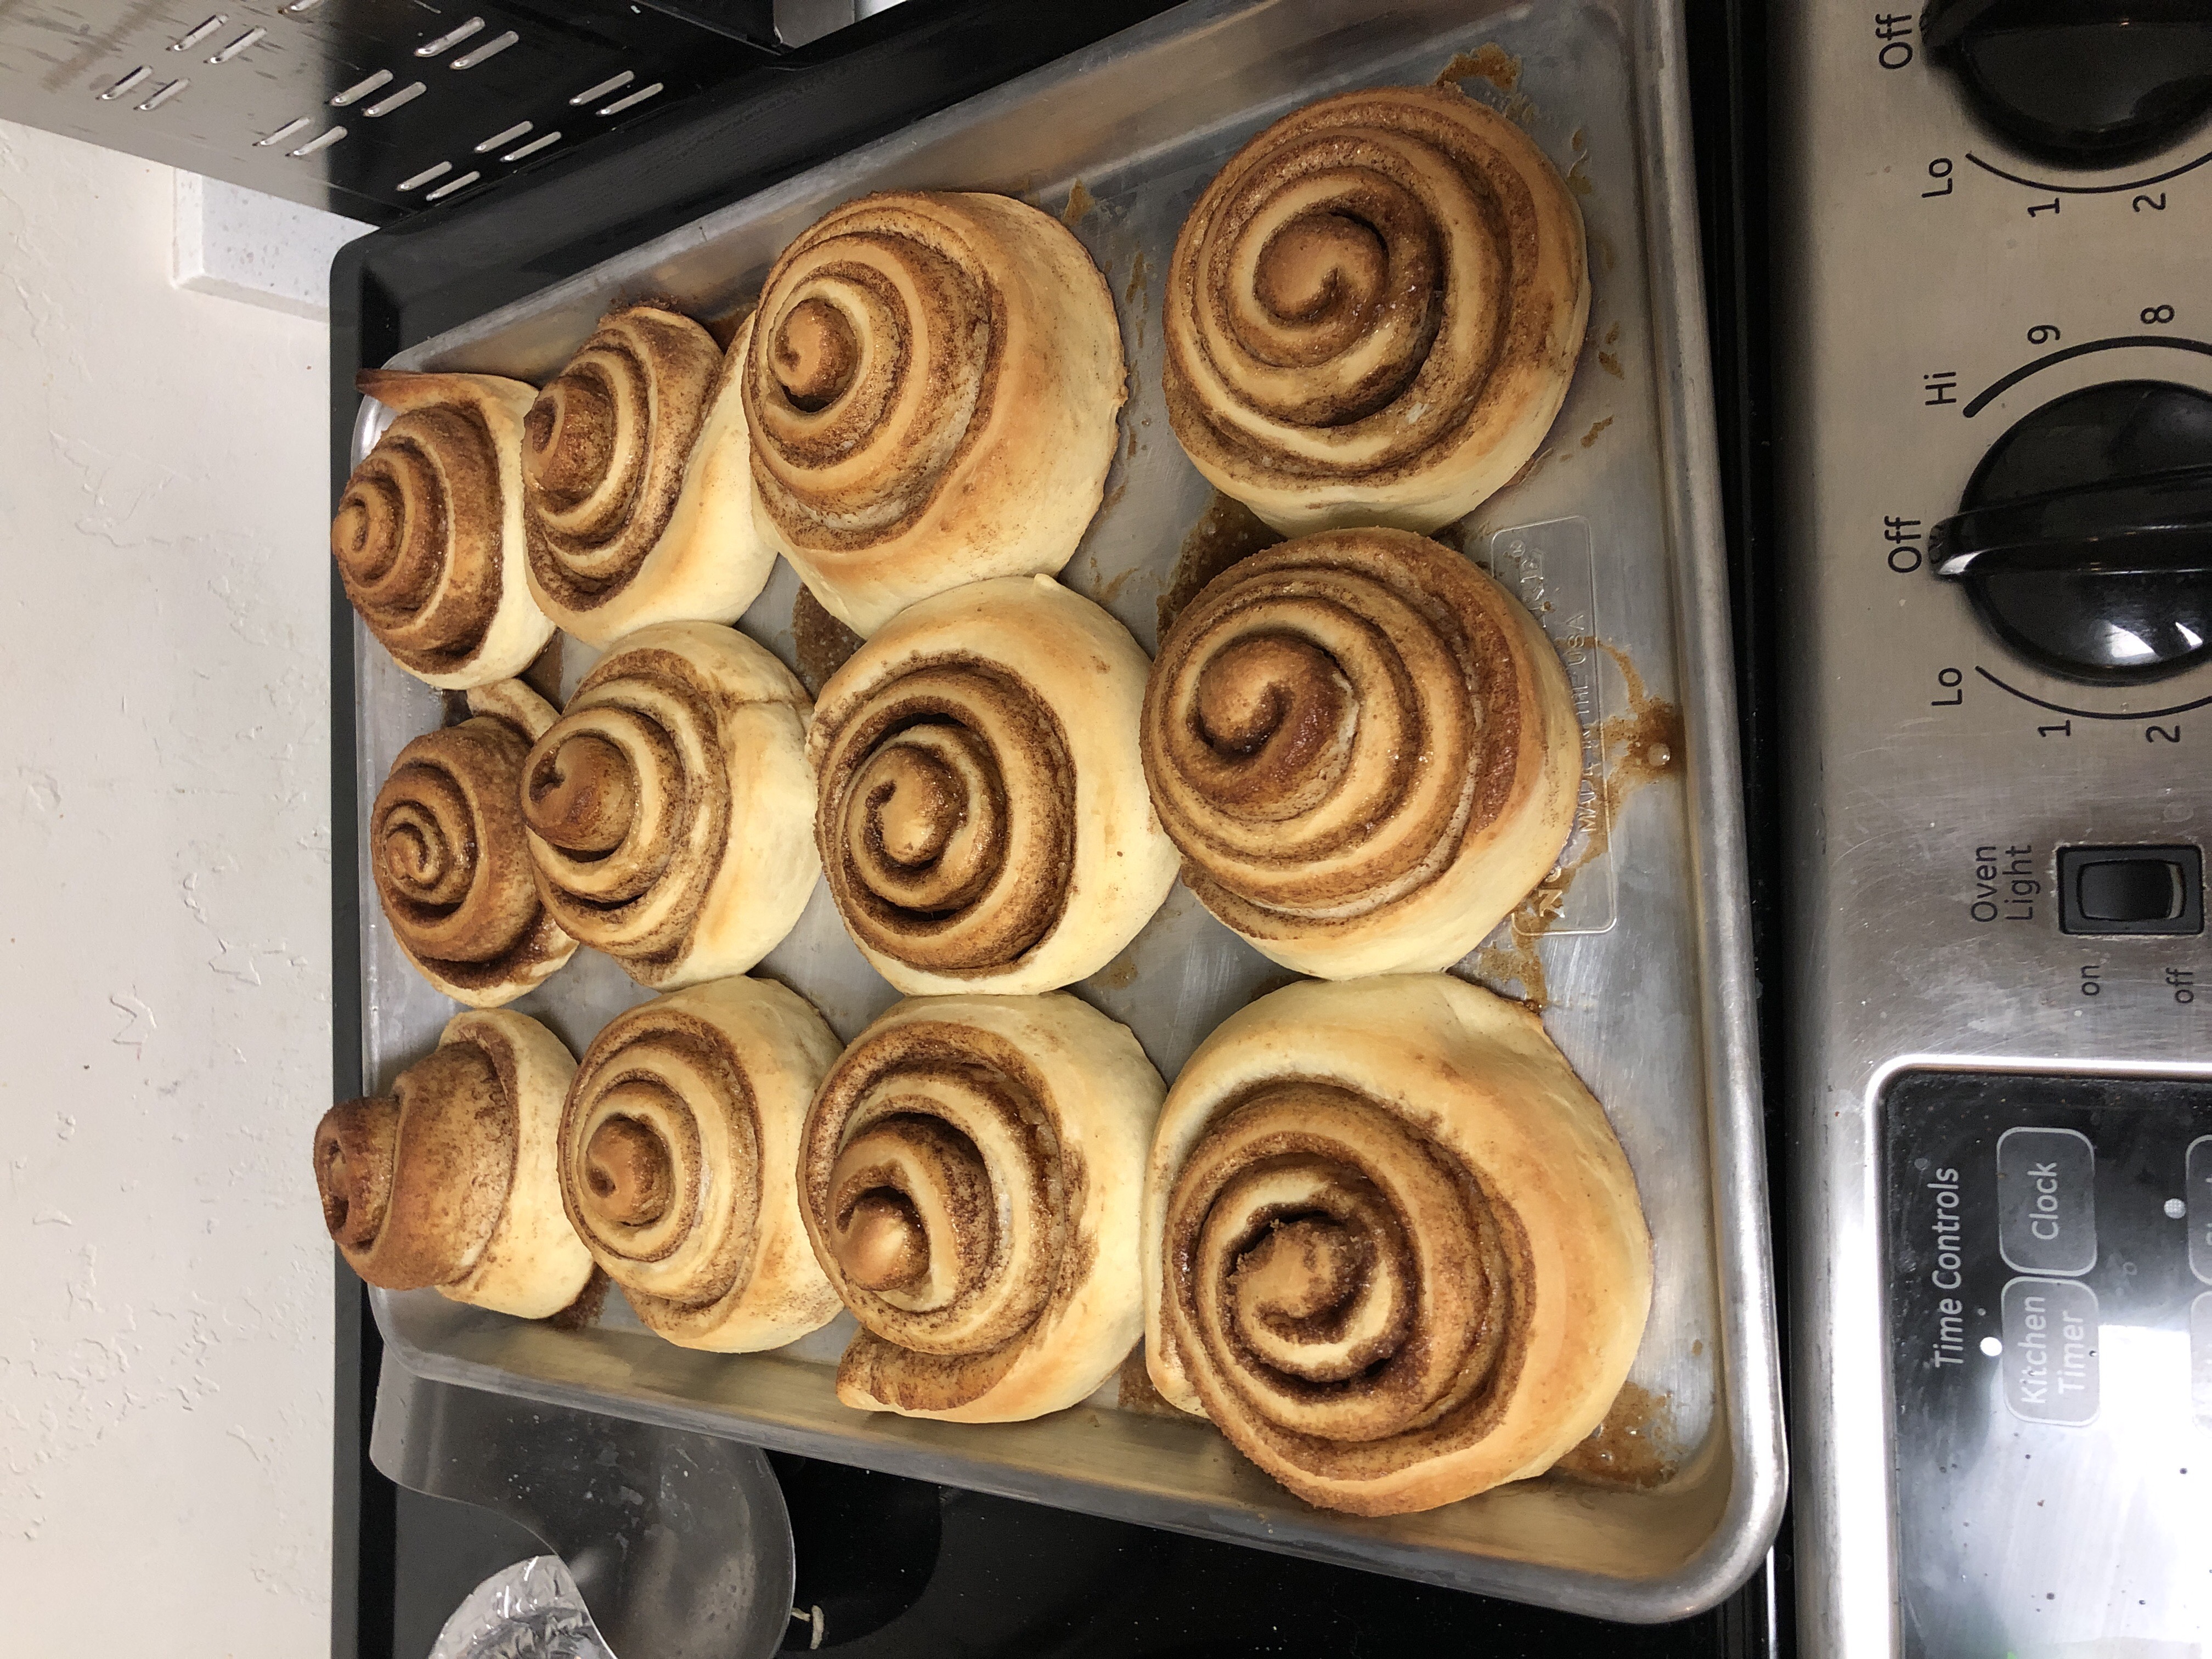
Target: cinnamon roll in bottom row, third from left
(970, 1178)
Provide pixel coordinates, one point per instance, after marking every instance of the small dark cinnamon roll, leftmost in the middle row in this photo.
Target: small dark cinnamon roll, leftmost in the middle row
(450, 859)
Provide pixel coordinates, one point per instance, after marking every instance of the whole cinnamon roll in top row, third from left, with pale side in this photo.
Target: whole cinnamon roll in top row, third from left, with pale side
(932, 395)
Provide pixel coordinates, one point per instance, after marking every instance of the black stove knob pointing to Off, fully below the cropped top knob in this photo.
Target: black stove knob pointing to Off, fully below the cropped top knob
(2085, 539)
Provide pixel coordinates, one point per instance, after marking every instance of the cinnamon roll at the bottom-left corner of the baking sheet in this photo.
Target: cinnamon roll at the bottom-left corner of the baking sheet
(450, 1178)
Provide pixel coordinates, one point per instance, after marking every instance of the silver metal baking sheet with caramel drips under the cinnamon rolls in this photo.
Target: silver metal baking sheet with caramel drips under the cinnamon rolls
(1642, 968)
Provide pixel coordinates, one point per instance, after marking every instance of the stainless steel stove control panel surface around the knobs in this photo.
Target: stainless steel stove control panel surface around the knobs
(1934, 286)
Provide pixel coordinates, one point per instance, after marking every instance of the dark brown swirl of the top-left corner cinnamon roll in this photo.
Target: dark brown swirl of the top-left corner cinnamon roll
(419, 539)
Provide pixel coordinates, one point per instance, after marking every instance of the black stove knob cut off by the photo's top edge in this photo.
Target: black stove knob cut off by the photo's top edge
(2080, 83)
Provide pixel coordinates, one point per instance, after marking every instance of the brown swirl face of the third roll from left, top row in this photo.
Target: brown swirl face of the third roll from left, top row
(873, 364)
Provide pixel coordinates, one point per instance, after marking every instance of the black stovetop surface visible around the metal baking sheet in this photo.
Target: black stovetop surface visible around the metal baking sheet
(904, 1569)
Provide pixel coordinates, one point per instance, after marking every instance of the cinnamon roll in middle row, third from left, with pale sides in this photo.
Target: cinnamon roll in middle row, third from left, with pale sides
(981, 808)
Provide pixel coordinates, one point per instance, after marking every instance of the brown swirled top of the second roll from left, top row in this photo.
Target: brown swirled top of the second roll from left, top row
(605, 452)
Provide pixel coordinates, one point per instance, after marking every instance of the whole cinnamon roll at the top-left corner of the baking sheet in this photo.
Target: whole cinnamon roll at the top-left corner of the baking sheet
(430, 530)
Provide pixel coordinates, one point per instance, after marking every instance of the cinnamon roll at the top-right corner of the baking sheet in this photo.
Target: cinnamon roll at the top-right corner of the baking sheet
(1375, 311)
